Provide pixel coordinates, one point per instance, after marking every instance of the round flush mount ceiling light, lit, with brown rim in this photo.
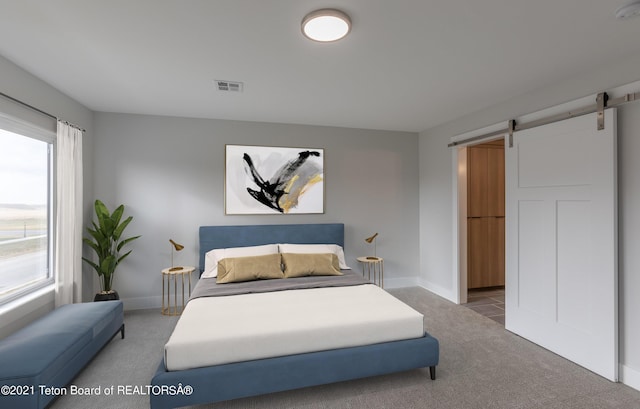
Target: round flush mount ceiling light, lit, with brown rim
(326, 25)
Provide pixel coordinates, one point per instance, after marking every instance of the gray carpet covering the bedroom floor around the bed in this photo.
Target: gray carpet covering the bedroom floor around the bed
(481, 366)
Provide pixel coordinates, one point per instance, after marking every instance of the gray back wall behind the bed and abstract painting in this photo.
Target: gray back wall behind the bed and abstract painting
(169, 174)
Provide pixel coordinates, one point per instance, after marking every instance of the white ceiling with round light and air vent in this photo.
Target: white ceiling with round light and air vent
(407, 65)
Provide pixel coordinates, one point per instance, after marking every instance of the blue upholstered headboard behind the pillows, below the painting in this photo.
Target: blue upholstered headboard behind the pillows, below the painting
(218, 237)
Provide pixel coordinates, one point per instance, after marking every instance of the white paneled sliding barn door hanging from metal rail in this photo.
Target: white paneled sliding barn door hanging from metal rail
(561, 240)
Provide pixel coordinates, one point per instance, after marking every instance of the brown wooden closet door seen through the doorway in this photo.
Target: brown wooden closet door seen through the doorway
(485, 215)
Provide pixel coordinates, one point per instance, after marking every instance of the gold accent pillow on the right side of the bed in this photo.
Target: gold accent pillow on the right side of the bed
(316, 264)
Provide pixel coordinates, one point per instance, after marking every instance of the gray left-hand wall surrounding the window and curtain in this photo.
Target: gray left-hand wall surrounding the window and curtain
(23, 86)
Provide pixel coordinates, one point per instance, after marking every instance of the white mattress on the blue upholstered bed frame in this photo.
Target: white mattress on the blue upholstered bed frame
(219, 330)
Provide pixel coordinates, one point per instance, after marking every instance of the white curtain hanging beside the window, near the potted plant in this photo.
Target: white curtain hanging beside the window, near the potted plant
(68, 249)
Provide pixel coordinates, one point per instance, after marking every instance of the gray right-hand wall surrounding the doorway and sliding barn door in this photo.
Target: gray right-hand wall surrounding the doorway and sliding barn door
(436, 181)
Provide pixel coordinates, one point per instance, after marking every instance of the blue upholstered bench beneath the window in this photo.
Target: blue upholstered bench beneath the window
(38, 361)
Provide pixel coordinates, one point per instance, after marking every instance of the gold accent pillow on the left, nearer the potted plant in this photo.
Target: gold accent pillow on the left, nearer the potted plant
(238, 269)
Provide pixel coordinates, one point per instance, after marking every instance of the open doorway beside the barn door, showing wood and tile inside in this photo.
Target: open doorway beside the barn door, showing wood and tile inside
(482, 246)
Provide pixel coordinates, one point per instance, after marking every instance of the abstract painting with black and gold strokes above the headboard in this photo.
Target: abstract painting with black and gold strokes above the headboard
(273, 180)
